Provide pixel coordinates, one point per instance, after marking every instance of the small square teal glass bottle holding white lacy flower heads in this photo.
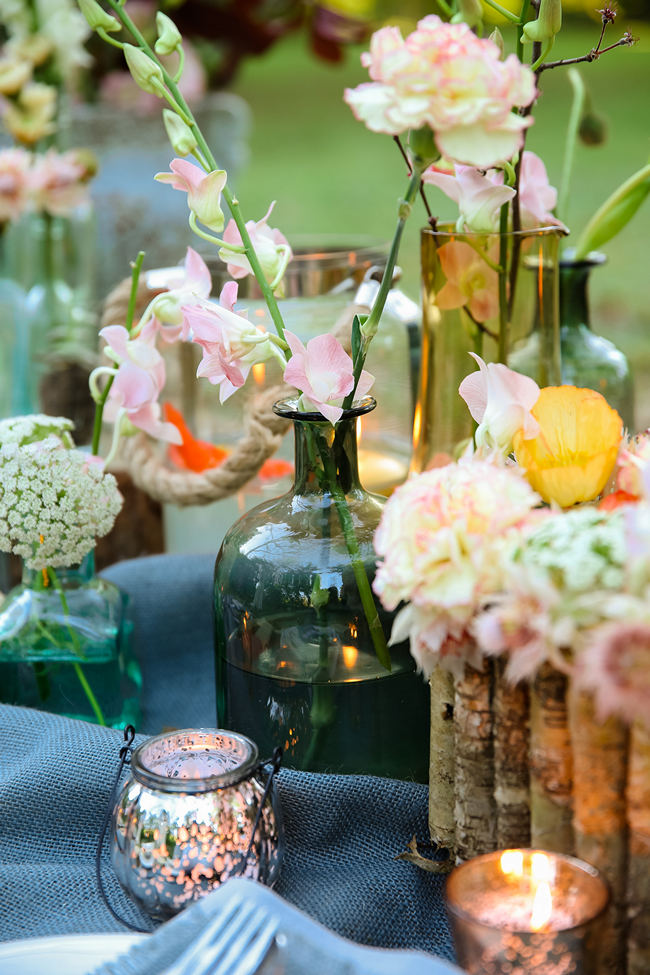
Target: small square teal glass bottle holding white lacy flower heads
(64, 646)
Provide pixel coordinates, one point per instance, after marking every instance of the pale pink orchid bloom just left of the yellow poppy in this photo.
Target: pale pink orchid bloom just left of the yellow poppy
(500, 400)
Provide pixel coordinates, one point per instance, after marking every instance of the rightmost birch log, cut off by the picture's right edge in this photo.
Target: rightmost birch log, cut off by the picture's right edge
(638, 882)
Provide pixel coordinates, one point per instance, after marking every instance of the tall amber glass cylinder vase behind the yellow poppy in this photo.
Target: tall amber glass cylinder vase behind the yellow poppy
(496, 295)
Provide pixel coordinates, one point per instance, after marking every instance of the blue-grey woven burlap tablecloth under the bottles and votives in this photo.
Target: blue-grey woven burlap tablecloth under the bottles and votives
(343, 833)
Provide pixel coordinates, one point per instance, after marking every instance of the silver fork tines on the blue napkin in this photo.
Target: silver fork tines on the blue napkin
(234, 943)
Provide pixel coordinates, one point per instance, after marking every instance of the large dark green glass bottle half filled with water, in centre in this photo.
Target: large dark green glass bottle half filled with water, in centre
(297, 662)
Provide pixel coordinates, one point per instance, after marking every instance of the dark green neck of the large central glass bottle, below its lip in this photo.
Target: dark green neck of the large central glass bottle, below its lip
(322, 451)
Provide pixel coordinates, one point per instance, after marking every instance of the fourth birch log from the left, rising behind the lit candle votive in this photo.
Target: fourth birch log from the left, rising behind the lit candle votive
(551, 763)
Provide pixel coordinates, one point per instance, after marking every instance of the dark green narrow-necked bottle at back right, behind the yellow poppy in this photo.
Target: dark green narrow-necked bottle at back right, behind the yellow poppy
(589, 359)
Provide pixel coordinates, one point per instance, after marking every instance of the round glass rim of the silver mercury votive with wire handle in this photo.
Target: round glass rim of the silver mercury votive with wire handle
(244, 769)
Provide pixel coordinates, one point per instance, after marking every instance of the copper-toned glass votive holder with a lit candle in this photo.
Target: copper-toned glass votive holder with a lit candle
(514, 912)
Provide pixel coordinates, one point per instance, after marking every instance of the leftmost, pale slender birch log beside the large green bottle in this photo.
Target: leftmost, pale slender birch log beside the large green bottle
(442, 825)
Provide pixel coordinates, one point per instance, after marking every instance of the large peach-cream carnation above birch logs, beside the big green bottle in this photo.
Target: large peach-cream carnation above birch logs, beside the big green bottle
(445, 537)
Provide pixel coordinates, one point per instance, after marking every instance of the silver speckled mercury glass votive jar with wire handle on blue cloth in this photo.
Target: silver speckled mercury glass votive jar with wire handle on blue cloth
(184, 820)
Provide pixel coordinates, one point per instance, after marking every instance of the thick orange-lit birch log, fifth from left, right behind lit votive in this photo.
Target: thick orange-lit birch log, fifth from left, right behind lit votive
(599, 815)
